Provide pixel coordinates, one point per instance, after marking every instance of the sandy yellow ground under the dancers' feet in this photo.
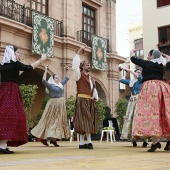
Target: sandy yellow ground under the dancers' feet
(105, 156)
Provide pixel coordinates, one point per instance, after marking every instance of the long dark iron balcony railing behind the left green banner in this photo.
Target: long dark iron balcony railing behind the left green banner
(22, 14)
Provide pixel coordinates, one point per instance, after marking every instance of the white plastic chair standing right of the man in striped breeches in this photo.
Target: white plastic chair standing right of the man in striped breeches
(111, 132)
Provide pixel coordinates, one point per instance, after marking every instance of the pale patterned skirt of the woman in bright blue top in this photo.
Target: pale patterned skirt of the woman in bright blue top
(128, 119)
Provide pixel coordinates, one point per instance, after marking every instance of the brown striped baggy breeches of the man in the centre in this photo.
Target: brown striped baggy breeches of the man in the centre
(85, 116)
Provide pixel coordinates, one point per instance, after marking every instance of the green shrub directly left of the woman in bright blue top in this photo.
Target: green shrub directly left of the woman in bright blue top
(121, 106)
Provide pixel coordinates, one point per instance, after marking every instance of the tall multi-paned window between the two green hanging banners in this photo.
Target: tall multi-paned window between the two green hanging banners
(88, 22)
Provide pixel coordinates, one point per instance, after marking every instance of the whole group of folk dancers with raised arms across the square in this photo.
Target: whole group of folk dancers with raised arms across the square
(147, 116)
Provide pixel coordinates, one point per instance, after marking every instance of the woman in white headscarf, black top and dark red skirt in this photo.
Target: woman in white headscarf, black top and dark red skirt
(13, 130)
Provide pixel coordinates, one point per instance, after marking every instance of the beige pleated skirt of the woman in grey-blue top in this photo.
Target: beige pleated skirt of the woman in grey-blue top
(53, 123)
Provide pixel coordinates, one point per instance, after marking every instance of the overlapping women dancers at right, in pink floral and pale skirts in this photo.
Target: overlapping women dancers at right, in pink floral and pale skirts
(148, 113)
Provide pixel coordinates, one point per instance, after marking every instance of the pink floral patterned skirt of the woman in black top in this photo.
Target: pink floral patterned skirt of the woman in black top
(152, 118)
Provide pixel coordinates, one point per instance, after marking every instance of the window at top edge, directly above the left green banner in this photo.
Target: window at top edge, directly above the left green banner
(39, 6)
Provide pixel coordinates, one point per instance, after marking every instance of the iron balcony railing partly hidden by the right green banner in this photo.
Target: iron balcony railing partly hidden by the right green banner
(85, 37)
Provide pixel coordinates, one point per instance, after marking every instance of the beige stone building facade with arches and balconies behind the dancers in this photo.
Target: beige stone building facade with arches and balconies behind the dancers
(74, 23)
